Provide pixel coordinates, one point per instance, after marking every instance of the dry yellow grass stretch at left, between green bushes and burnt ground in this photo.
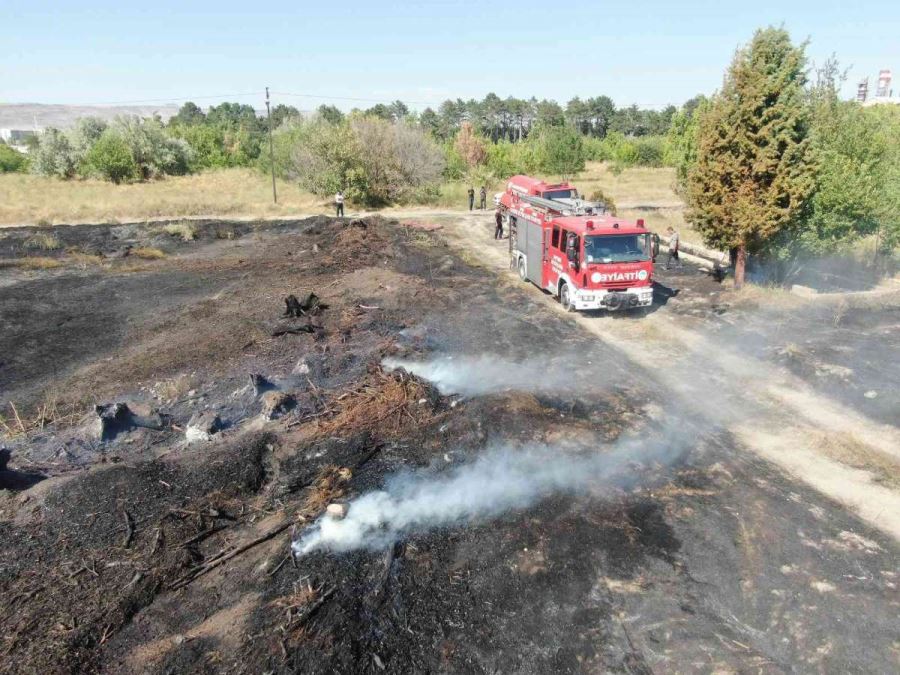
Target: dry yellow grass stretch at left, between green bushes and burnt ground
(27, 199)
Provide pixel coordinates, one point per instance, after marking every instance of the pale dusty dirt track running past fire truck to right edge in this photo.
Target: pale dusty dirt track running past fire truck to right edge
(772, 413)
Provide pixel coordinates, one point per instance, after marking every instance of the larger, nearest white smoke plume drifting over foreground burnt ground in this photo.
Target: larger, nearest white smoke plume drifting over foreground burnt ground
(499, 480)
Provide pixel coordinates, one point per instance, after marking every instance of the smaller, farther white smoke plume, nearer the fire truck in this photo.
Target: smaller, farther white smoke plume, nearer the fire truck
(475, 376)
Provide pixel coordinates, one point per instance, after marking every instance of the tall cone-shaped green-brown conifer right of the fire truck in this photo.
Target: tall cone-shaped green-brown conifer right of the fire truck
(753, 176)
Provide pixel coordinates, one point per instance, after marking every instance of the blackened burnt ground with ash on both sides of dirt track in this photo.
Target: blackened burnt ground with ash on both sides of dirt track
(661, 547)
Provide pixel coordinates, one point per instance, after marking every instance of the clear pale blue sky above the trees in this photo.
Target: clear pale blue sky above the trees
(646, 52)
